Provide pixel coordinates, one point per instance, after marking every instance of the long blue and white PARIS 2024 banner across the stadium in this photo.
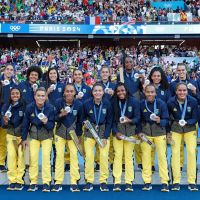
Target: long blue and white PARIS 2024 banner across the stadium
(122, 29)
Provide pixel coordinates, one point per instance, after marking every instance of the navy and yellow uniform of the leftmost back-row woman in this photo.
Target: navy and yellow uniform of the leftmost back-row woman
(5, 96)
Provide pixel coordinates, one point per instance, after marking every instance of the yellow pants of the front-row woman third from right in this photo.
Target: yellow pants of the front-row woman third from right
(127, 148)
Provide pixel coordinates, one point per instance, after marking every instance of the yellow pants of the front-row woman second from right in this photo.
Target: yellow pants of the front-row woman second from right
(161, 147)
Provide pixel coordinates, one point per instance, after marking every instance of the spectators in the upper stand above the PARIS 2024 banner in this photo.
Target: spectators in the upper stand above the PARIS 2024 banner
(110, 11)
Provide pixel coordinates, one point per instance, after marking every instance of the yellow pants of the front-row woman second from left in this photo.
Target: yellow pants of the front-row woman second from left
(34, 155)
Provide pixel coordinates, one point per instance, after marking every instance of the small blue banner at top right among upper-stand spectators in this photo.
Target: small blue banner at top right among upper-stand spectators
(168, 4)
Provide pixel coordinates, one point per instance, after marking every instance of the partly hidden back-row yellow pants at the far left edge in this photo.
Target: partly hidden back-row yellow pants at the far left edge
(3, 152)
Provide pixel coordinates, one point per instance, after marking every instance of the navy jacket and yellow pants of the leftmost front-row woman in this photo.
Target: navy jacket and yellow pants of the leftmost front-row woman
(15, 156)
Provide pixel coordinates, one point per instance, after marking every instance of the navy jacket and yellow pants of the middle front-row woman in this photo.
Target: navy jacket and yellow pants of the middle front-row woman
(100, 116)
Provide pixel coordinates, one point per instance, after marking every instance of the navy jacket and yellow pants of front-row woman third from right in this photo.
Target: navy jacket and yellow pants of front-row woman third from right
(131, 109)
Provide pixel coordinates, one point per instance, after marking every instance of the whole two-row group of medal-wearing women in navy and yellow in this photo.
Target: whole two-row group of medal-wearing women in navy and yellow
(129, 117)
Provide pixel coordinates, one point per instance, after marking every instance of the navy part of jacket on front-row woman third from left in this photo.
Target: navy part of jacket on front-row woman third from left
(75, 116)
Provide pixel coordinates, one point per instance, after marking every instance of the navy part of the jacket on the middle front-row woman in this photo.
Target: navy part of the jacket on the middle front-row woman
(106, 116)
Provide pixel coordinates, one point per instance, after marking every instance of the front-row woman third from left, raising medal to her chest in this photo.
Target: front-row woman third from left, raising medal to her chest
(69, 117)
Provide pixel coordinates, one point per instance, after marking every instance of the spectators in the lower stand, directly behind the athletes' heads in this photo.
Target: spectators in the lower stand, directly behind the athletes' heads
(91, 59)
